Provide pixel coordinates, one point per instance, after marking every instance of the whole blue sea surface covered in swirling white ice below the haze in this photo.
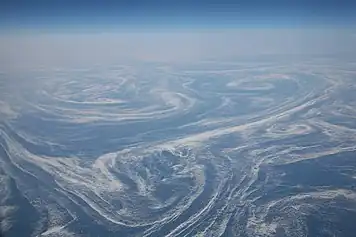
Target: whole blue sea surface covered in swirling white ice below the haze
(210, 149)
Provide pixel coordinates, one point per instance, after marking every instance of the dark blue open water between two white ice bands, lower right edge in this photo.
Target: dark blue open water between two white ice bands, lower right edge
(328, 172)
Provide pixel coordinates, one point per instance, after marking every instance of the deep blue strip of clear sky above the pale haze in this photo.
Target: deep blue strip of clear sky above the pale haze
(173, 13)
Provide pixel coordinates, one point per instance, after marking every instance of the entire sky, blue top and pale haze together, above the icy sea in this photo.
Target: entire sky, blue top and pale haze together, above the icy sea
(50, 33)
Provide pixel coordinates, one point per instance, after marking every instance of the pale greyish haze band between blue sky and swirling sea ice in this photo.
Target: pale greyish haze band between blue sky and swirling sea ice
(164, 45)
